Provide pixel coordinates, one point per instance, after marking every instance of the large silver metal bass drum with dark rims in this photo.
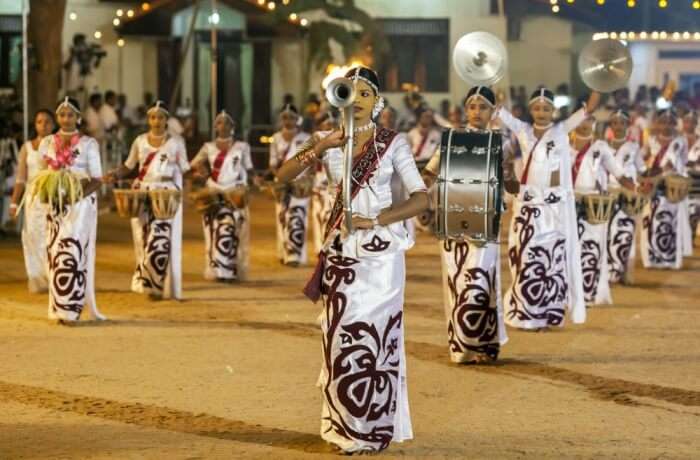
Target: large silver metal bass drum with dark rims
(469, 201)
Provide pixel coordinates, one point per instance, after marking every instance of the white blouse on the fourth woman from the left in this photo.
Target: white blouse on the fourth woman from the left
(234, 169)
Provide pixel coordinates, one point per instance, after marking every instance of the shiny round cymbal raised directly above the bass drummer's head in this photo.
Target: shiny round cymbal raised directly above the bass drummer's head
(480, 58)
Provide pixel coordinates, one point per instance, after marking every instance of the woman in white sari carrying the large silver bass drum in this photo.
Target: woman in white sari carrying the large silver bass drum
(472, 273)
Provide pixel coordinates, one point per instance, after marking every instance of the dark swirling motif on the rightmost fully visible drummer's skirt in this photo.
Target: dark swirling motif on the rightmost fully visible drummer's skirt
(661, 235)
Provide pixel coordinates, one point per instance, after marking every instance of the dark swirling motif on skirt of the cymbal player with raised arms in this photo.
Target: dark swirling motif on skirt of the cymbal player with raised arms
(540, 285)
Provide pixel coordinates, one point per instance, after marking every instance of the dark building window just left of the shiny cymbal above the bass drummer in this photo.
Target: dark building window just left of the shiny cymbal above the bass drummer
(418, 55)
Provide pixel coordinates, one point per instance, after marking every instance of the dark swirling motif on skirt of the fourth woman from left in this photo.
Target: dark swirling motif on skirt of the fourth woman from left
(222, 226)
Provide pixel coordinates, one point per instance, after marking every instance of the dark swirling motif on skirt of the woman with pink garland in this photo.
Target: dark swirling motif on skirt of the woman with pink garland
(67, 260)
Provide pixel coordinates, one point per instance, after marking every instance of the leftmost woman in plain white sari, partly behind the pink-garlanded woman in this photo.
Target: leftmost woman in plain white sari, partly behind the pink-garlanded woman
(34, 226)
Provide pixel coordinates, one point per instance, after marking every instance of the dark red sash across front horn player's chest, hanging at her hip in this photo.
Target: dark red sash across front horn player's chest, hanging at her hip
(363, 167)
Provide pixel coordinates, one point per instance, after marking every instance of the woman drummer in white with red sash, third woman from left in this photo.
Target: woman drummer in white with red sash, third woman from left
(161, 160)
